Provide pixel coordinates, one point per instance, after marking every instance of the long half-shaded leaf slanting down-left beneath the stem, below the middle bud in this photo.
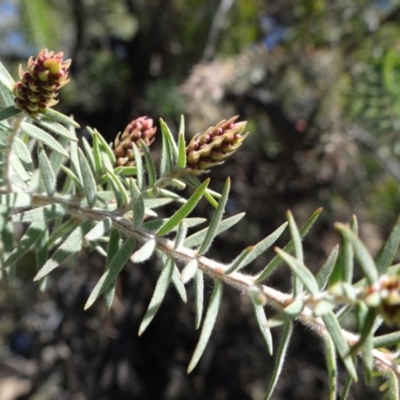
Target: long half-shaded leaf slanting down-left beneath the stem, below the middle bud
(113, 269)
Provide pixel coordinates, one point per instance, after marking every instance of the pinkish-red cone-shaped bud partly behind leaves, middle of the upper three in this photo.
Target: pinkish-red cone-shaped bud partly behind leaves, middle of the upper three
(139, 128)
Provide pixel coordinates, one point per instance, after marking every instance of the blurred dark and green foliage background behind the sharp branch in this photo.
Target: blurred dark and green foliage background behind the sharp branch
(319, 84)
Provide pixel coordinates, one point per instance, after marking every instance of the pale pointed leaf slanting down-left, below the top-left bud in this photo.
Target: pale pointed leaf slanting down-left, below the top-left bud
(69, 247)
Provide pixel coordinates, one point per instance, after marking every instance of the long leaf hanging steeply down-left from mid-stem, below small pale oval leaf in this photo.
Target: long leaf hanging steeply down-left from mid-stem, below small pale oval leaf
(160, 290)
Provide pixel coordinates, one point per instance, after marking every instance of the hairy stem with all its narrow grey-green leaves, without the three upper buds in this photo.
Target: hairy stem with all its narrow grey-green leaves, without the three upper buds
(113, 210)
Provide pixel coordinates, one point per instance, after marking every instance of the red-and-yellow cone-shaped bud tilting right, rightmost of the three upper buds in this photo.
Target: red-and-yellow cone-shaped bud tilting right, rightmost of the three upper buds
(210, 148)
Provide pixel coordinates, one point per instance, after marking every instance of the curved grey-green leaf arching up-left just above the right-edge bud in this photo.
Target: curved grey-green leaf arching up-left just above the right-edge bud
(365, 260)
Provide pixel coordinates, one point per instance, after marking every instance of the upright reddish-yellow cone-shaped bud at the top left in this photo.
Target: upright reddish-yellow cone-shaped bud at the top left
(39, 85)
